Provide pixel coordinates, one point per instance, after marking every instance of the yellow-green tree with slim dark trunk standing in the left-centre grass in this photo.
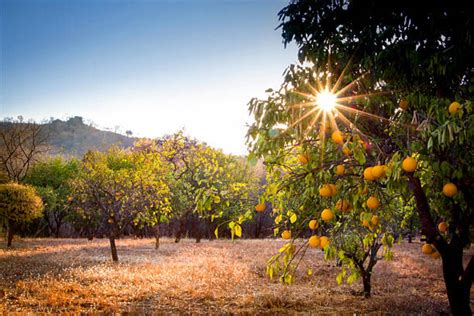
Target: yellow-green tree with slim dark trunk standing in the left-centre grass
(120, 189)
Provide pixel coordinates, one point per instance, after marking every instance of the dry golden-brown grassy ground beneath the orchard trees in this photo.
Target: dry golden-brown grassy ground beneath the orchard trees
(59, 275)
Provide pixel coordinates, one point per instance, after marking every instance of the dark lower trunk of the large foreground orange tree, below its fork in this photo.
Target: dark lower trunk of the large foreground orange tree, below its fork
(457, 288)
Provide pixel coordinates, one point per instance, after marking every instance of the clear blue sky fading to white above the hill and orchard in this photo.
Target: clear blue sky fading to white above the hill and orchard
(152, 67)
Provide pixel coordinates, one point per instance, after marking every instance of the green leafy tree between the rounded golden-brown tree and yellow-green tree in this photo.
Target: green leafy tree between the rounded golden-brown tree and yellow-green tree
(52, 178)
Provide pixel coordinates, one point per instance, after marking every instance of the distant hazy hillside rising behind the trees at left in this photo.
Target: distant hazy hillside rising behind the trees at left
(74, 138)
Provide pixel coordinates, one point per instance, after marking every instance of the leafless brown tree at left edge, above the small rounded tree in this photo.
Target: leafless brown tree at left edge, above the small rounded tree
(21, 143)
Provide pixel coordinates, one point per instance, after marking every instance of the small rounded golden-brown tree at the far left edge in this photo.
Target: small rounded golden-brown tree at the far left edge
(18, 204)
